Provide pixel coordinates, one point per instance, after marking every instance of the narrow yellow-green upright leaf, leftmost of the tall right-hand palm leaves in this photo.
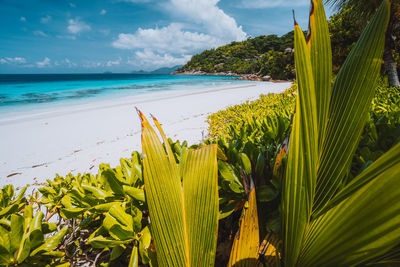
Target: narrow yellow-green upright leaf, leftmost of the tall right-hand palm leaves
(299, 182)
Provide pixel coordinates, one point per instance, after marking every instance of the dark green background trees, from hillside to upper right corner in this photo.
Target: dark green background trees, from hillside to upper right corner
(273, 56)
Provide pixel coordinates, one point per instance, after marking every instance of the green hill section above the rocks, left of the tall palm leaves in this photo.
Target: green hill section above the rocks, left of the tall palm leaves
(267, 55)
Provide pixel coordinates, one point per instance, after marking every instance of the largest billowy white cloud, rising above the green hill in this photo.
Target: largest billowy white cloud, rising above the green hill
(200, 25)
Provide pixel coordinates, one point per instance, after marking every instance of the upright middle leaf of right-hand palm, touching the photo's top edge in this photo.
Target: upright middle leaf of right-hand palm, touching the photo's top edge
(319, 43)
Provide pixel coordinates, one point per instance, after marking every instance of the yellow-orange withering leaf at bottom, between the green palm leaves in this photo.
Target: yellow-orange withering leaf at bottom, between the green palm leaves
(244, 250)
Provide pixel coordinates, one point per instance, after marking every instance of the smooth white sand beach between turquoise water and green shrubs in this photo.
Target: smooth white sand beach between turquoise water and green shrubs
(76, 139)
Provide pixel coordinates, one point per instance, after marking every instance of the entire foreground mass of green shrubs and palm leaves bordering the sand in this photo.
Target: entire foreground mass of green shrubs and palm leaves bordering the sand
(308, 177)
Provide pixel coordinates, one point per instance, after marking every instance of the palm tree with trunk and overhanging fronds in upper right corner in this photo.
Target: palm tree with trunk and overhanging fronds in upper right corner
(365, 9)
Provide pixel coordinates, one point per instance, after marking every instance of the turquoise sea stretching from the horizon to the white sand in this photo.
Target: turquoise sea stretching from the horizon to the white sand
(30, 92)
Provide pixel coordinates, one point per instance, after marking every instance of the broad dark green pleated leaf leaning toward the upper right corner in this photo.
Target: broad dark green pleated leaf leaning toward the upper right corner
(350, 101)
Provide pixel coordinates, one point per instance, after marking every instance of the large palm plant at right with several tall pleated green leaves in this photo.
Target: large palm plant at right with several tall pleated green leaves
(358, 223)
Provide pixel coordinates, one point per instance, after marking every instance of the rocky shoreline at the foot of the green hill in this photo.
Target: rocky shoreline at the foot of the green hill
(249, 77)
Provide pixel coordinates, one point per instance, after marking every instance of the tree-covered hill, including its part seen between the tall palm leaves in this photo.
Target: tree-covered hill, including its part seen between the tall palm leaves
(271, 55)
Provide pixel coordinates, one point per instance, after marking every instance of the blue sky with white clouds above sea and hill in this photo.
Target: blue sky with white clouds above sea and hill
(92, 36)
